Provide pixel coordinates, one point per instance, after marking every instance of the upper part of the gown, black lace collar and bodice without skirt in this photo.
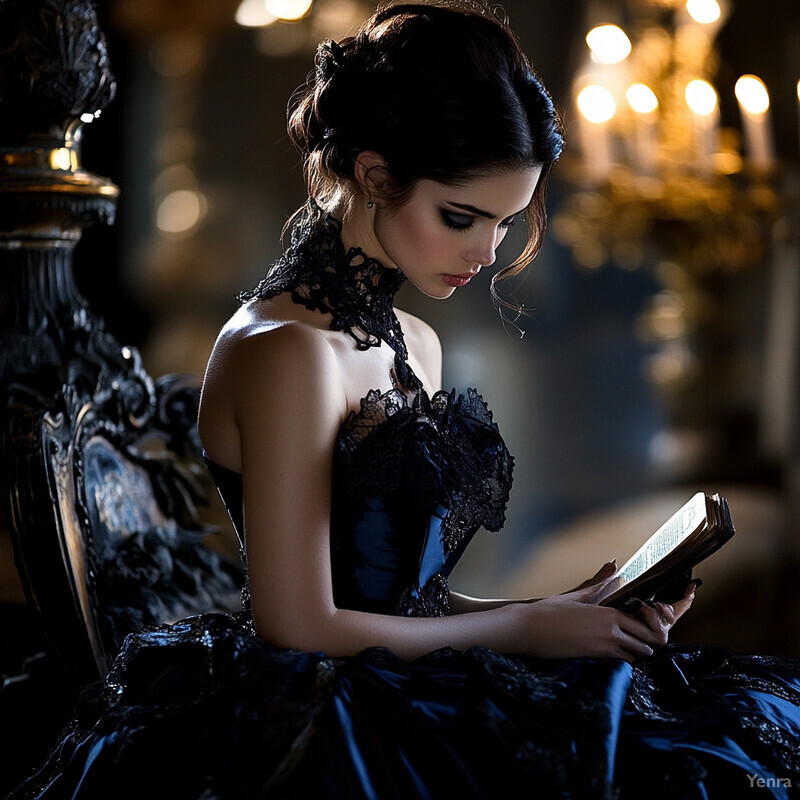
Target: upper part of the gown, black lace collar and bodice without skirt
(414, 477)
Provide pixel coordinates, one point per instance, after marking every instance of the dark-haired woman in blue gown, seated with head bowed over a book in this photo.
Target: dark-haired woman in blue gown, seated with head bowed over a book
(356, 484)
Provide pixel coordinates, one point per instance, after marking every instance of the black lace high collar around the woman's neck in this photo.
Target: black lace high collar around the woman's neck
(355, 289)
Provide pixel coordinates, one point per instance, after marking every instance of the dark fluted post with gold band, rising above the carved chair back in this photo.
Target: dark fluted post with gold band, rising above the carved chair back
(55, 77)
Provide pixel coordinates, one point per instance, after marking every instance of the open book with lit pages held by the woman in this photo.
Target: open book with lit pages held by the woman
(662, 566)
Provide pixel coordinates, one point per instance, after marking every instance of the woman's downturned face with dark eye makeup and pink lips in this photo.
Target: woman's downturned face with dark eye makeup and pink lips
(442, 235)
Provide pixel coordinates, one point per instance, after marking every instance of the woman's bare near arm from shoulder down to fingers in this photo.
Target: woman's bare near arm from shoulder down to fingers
(289, 406)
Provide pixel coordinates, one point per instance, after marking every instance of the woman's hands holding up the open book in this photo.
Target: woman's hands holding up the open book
(573, 625)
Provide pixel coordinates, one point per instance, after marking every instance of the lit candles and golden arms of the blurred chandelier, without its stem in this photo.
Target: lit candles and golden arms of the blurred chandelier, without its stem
(653, 152)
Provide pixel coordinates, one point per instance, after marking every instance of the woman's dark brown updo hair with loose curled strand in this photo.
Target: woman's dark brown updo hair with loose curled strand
(441, 91)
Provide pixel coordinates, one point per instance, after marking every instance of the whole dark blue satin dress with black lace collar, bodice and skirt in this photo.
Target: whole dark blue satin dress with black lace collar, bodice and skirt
(206, 710)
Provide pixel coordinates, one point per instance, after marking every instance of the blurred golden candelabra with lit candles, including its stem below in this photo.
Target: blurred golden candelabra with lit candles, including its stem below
(660, 182)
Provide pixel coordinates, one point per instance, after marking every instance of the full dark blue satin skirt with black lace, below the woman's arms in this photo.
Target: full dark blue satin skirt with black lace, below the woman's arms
(206, 709)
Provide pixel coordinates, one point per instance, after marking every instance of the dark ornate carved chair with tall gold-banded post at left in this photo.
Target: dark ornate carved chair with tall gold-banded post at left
(100, 474)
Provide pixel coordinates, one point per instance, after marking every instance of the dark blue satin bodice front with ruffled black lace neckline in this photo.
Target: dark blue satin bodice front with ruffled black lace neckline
(412, 483)
